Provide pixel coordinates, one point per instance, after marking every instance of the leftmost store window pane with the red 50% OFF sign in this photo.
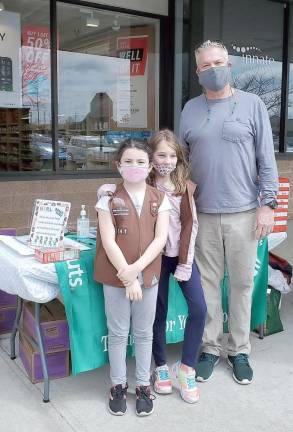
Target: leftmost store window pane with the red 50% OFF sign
(25, 102)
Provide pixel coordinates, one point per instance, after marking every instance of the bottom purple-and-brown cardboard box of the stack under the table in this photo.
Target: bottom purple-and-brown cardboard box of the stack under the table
(57, 362)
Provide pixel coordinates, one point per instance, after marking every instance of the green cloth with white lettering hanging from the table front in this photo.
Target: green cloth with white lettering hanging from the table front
(84, 305)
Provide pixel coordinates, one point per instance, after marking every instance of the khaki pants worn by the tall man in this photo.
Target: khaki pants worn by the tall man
(227, 238)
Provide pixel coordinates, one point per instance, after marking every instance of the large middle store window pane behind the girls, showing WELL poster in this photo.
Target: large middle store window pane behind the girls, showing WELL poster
(107, 83)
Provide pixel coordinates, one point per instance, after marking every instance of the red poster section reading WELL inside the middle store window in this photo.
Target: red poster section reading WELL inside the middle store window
(135, 49)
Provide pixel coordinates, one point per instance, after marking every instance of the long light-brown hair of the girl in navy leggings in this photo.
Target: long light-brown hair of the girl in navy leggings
(180, 175)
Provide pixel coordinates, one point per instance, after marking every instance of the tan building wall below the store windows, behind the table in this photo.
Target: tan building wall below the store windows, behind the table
(17, 197)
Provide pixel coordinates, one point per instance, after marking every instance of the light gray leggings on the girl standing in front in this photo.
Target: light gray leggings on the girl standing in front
(121, 313)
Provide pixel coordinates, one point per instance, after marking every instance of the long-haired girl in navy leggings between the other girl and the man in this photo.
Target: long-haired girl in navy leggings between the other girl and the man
(170, 175)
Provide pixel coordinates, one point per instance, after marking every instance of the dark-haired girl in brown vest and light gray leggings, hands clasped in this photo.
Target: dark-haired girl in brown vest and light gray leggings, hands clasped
(133, 223)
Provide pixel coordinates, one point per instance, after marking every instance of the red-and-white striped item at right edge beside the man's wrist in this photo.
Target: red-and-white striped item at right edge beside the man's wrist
(281, 213)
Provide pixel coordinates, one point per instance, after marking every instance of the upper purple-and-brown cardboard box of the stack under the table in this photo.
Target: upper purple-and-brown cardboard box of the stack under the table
(53, 324)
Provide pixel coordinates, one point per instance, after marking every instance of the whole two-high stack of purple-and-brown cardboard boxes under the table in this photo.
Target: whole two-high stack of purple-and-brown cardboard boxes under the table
(55, 333)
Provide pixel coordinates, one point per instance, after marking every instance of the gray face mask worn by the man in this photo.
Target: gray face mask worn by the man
(215, 78)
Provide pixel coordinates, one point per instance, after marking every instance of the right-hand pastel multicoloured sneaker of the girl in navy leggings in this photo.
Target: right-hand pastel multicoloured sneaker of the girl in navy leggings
(186, 377)
